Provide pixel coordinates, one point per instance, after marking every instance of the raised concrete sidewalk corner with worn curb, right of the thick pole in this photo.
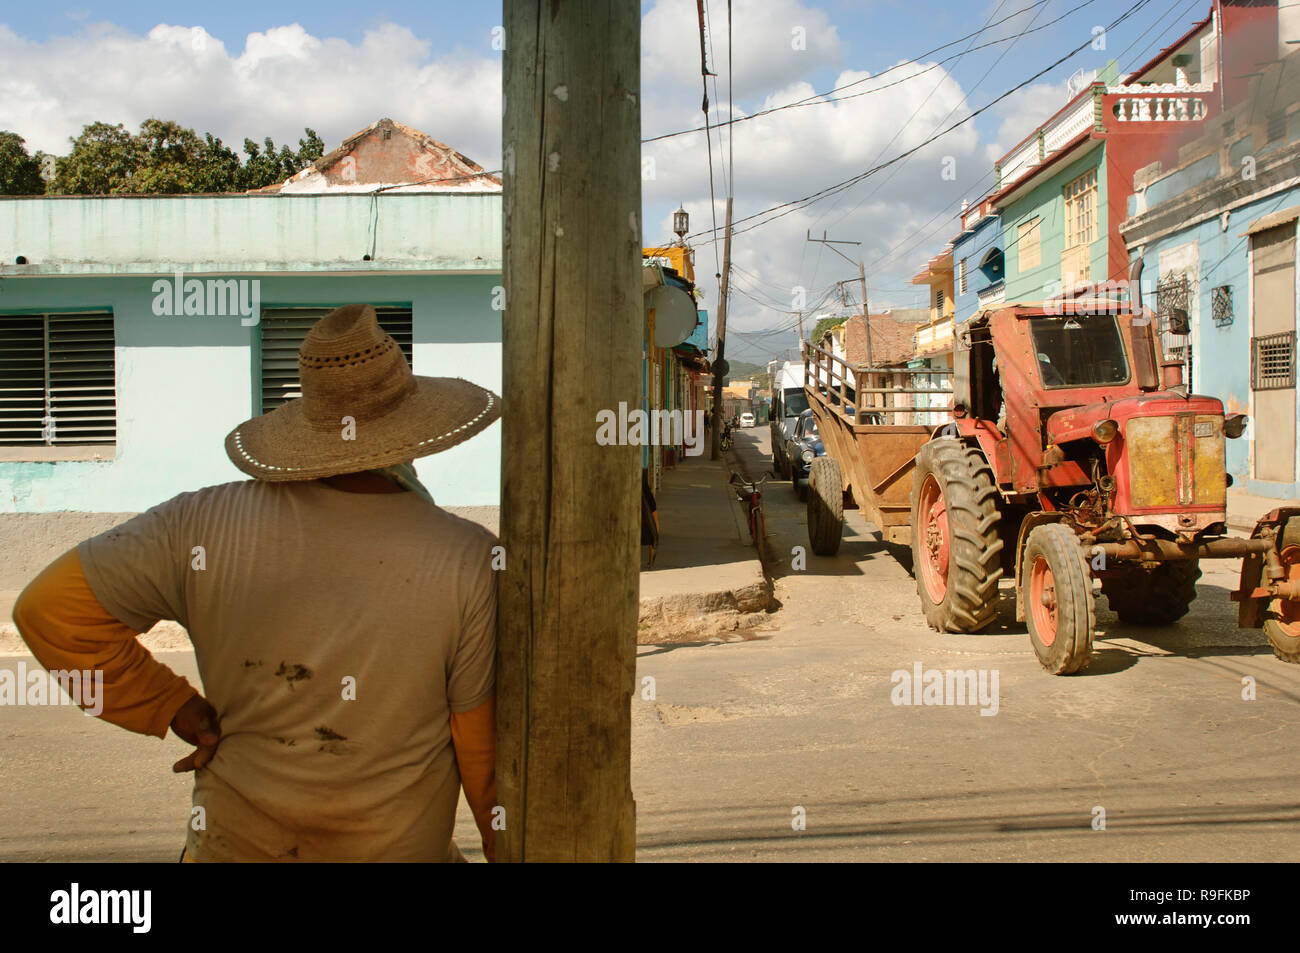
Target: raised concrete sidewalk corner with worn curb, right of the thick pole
(708, 581)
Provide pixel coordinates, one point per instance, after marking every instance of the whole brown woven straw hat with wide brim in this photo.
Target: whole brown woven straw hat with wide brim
(362, 408)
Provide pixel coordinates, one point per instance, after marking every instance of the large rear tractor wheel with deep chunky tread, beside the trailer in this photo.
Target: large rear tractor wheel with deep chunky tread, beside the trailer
(955, 543)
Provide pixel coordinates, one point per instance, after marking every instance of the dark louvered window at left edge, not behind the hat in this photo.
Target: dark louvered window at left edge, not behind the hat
(58, 380)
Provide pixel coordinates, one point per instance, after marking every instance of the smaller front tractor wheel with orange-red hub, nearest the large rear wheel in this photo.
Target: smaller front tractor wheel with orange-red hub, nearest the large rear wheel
(1059, 601)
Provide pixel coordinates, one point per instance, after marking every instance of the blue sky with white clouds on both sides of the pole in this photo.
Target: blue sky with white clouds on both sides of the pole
(257, 70)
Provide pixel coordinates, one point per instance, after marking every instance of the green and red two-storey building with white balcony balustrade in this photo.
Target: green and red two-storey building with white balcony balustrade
(1064, 190)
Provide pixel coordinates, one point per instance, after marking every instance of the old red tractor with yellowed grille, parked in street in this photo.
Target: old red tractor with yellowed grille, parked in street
(1076, 453)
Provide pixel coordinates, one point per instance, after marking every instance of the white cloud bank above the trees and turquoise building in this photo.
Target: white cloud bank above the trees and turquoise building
(280, 83)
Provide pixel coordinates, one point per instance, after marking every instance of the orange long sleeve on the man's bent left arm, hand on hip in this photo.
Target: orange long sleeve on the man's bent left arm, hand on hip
(68, 630)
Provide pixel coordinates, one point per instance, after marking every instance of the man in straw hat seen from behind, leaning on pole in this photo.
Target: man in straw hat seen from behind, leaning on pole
(344, 625)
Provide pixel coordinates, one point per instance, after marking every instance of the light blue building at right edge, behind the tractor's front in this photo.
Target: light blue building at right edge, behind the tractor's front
(1217, 242)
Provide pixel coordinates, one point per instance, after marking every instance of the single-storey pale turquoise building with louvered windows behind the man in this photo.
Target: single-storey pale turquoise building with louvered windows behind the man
(136, 332)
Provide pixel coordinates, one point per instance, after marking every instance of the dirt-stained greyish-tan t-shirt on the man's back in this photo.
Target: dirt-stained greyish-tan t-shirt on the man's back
(335, 634)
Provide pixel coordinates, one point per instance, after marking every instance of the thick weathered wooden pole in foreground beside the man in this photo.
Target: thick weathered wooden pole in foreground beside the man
(571, 508)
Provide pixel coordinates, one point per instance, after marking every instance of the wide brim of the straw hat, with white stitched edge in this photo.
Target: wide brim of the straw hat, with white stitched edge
(439, 414)
